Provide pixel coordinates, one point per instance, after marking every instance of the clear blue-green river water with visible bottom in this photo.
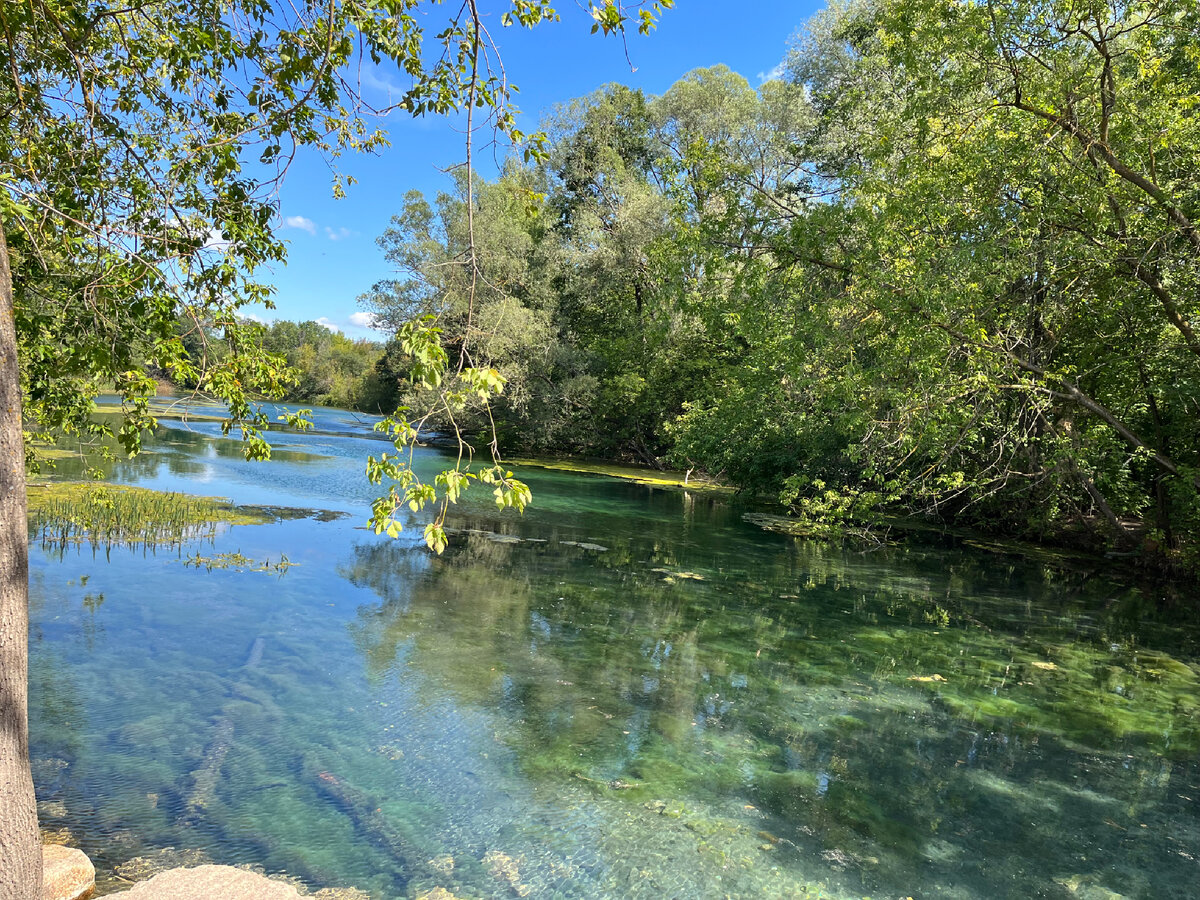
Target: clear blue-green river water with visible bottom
(699, 710)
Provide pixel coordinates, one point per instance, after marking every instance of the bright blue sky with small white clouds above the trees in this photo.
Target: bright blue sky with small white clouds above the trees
(333, 254)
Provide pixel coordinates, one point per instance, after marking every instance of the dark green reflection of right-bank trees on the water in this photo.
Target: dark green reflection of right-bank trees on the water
(890, 723)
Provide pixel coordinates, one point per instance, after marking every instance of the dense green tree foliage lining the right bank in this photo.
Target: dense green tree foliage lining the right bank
(949, 266)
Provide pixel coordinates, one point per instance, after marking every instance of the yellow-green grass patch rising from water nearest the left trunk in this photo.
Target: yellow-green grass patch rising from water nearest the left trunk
(112, 515)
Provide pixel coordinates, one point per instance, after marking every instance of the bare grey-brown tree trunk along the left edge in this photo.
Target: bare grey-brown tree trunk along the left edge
(21, 851)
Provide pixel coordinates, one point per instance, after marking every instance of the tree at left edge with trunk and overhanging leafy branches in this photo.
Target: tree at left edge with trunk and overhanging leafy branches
(136, 163)
